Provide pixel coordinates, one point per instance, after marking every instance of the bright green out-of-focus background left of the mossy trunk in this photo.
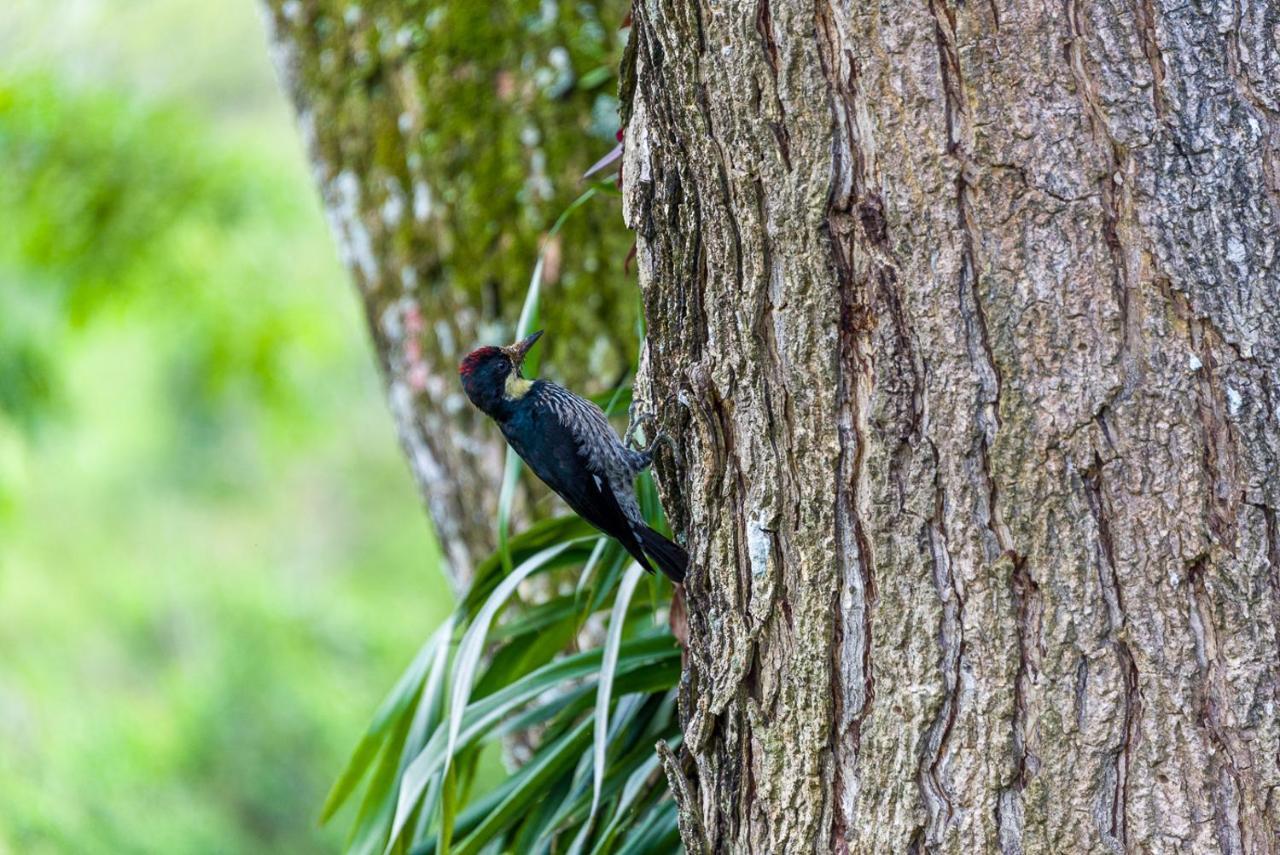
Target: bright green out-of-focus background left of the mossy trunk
(213, 561)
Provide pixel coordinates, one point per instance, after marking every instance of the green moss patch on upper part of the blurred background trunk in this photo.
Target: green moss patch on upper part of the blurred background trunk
(495, 112)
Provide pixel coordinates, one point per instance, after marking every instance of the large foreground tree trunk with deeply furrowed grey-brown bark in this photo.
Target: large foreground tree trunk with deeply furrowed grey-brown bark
(972, 317)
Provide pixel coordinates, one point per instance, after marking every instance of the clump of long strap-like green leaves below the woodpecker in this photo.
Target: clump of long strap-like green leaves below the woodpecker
(592, 783)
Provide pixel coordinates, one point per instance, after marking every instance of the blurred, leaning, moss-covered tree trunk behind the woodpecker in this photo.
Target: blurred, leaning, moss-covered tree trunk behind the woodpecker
(446, 138)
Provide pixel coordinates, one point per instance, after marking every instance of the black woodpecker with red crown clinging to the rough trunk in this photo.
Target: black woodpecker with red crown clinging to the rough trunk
(572, 447)
